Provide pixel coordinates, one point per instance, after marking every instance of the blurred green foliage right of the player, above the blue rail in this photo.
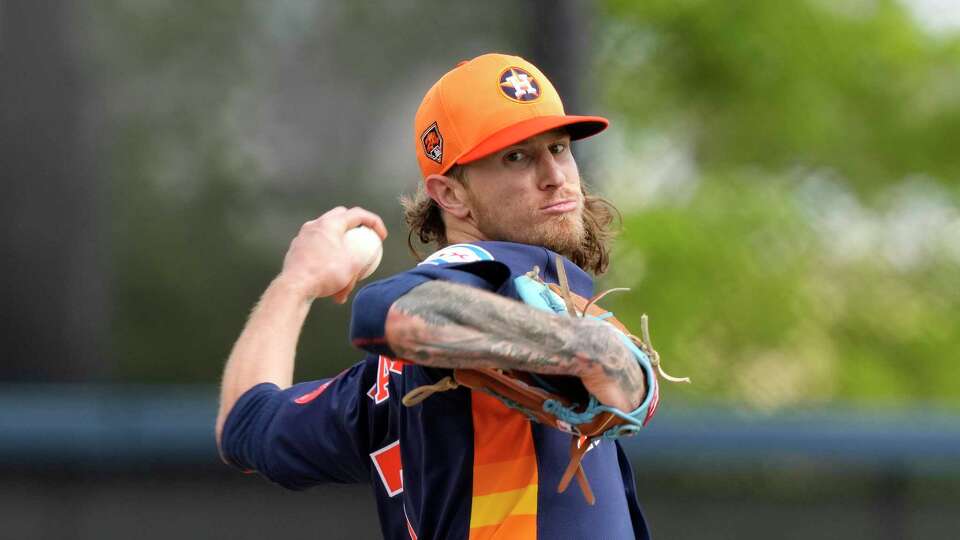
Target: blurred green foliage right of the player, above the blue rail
(812, 252)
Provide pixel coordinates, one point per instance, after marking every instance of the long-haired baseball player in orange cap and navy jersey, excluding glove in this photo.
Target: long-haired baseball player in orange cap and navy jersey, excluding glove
(500, 195)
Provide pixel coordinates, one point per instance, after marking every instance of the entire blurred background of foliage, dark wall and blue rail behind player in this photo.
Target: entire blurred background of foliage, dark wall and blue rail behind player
(789, 178)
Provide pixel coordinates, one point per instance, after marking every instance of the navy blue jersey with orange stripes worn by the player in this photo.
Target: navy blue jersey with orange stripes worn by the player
(458, 465)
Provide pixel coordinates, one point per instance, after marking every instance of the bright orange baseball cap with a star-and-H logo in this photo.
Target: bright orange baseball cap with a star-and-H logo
(485, 105)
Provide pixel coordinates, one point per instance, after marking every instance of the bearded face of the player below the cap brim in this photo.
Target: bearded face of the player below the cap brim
(529, 193)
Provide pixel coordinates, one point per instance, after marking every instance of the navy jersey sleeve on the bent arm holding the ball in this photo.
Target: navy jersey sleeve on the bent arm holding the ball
(311, 433)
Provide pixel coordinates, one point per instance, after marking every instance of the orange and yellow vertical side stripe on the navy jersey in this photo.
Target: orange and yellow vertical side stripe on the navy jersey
(505, 477)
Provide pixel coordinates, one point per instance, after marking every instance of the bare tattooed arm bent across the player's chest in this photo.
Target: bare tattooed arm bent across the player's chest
(448, 325)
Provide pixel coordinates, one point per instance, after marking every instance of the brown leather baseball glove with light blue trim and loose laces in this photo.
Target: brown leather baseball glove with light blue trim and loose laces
(563, 402)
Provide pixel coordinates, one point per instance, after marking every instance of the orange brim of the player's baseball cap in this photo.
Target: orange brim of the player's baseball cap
(579, 127)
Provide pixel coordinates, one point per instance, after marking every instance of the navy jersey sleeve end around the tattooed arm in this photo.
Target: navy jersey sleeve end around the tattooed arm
(371, 304)
